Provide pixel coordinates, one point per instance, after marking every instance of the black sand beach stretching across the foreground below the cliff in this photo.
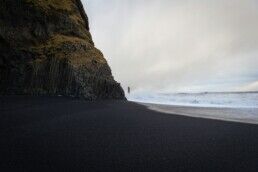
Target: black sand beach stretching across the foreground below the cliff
(64, 134)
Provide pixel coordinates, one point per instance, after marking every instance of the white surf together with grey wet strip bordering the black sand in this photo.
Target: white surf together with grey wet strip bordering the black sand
(237, 107)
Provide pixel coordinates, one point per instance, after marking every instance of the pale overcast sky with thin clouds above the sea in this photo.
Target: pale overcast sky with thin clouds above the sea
(178, 45)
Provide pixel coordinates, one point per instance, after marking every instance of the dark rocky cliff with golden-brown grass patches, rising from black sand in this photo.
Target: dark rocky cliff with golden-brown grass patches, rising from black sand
(46, 49)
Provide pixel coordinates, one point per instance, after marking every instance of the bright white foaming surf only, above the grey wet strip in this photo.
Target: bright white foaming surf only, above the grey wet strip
(233, 100)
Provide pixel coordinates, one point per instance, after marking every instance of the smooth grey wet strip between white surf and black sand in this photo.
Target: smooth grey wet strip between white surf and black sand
(232, 114)
